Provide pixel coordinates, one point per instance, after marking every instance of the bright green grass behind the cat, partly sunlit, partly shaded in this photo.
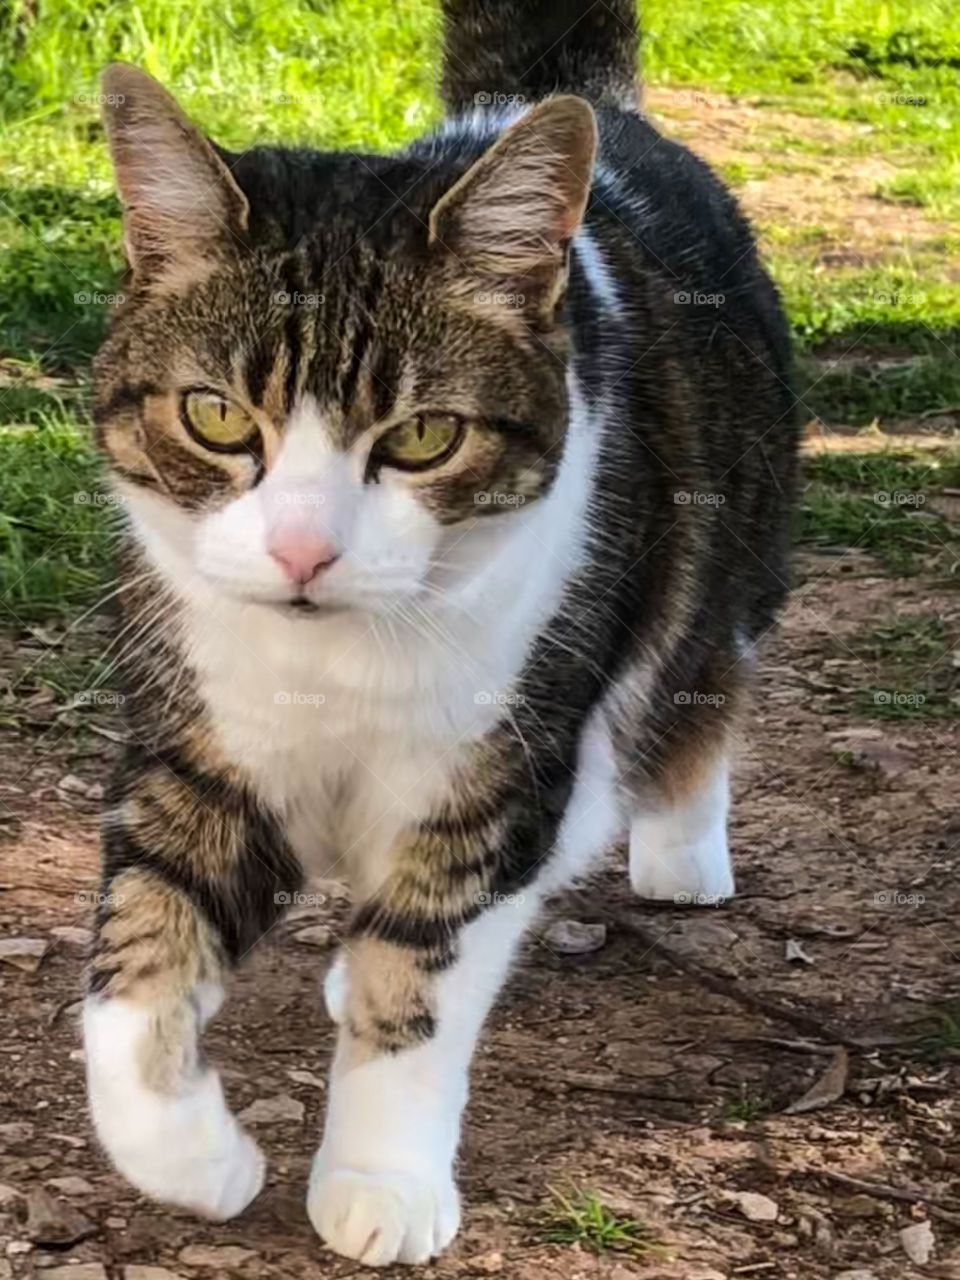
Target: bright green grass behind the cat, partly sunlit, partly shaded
(362, 74)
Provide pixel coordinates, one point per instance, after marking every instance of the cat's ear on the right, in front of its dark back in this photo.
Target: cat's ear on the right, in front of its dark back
(508, 225)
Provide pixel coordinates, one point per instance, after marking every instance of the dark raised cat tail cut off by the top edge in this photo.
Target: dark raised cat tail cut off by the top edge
(506, 52)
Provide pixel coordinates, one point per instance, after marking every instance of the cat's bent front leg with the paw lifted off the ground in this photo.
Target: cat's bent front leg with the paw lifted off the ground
(193, 877)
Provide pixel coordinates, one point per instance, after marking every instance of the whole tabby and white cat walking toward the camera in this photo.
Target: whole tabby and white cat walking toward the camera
(458, 490)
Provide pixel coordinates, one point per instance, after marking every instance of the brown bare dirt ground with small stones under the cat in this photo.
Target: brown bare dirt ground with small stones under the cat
(657, 1072)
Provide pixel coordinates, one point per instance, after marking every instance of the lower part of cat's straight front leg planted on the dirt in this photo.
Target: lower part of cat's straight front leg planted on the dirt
(382, 1187)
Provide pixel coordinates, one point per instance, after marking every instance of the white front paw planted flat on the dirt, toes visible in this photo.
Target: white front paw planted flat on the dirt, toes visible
(383, 1218)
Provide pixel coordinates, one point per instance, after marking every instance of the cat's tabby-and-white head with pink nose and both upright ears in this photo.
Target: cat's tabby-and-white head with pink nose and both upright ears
(331, 368)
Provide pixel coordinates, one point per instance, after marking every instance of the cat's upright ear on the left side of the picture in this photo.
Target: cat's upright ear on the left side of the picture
(180, 199)
